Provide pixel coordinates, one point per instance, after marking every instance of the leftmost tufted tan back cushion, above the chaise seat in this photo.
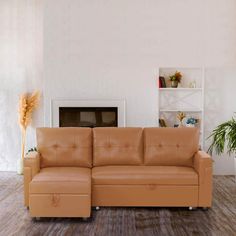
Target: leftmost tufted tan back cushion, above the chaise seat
(65, 147)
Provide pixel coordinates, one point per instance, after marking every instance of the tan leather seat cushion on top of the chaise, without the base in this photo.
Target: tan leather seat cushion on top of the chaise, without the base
(68, 180)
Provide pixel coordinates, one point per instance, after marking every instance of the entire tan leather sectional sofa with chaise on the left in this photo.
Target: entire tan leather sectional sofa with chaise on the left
(76, 168)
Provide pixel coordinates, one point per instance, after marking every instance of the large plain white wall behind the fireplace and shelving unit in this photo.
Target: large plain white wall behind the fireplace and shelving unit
(112, 50)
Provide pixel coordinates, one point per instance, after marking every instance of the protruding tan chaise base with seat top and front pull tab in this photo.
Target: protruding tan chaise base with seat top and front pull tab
(61, 192)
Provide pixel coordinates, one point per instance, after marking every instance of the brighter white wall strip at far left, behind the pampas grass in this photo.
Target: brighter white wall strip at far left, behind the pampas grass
(20, 70)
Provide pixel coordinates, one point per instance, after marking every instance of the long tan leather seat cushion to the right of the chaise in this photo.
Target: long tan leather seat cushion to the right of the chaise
(139, 175)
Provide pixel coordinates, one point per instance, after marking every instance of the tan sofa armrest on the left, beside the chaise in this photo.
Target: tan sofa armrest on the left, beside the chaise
(31, 168)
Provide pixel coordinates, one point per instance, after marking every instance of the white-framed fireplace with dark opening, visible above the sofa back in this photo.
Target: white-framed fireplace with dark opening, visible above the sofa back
(87, 113)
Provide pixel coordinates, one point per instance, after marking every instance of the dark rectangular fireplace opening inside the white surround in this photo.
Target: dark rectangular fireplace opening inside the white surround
(88, 117)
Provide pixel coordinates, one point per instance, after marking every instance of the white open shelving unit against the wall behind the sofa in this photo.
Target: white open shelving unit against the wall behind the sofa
(183, 99)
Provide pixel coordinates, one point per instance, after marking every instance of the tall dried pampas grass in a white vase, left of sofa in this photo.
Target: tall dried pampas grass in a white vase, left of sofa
(27, 104)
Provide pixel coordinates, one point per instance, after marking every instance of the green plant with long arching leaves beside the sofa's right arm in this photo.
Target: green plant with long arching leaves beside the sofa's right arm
(224, 137)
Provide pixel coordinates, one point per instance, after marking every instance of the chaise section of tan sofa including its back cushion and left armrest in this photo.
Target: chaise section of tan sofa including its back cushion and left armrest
(58, 177)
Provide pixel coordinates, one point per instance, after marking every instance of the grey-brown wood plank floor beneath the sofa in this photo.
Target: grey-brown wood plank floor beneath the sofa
(219, 220)
